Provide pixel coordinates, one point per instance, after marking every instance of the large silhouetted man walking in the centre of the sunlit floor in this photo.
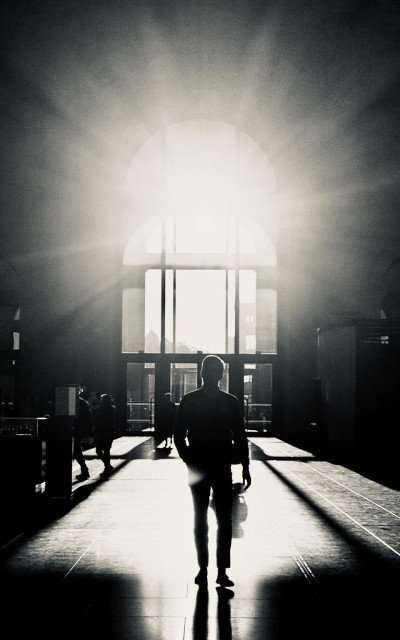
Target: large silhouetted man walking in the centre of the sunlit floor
(208, 422)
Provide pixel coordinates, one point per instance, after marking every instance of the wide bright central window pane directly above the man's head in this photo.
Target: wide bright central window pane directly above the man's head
(200, 311)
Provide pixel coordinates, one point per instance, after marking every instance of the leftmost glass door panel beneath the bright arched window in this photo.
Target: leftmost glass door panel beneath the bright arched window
(140, 396)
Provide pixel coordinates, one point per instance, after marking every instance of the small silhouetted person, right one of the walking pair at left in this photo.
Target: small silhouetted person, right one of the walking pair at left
(104, 430)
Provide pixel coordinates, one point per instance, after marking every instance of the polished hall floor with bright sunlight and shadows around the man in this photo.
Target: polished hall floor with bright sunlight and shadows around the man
(315, 554)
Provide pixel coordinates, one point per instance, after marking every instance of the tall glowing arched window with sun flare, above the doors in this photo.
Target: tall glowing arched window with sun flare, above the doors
(200, 270)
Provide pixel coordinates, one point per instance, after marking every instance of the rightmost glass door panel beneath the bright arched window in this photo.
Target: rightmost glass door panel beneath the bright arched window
(258, 397)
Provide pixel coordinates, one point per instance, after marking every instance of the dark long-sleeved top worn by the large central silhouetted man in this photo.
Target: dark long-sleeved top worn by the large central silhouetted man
(207, 429)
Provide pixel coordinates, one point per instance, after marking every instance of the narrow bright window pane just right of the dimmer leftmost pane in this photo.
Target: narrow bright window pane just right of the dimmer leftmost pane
(152, 322)
